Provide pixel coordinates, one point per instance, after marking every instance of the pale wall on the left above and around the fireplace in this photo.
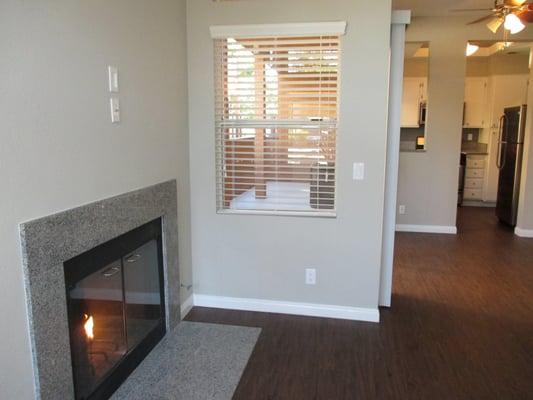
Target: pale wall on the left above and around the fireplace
(58, 148)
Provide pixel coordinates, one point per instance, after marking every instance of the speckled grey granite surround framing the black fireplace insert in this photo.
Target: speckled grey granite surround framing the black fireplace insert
(48, 242)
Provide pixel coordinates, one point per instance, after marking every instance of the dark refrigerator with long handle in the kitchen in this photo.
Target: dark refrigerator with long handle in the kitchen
(509, 162)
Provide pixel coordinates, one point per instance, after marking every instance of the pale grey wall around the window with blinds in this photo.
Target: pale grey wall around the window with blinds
(264, 256)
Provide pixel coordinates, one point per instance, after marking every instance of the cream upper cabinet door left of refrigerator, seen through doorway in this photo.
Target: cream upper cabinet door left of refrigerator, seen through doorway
(475, 102)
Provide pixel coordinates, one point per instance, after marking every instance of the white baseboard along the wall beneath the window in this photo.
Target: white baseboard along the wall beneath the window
(286, 307)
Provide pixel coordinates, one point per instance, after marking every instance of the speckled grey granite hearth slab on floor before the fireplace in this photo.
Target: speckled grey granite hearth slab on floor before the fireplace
(196, 361)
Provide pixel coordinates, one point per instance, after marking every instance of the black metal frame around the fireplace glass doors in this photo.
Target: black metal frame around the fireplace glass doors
(91, 261)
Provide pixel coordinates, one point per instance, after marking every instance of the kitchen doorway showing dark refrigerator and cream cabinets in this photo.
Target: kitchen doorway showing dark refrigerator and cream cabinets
(492, 137)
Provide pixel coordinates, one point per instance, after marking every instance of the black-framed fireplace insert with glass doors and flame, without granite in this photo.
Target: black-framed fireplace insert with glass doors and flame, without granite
(116, 309)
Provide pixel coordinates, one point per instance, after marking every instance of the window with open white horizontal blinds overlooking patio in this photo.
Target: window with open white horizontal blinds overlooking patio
(276, 122)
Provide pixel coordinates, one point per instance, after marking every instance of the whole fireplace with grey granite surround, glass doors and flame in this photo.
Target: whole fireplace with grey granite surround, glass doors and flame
(92, 320)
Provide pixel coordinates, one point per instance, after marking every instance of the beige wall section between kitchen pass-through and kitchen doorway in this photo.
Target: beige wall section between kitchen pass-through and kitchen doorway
(428, 181)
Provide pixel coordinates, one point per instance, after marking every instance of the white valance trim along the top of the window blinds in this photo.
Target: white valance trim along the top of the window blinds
(291, 29)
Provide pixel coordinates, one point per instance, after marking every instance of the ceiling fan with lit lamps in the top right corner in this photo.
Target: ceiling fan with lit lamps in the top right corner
(513, 14)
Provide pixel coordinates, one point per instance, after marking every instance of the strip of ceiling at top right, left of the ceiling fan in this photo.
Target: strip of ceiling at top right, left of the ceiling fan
(427, 8)
